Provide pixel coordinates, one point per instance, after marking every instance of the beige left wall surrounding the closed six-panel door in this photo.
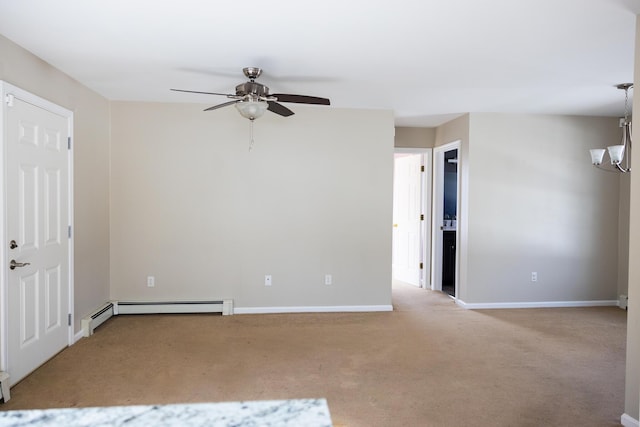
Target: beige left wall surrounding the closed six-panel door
(91, 167)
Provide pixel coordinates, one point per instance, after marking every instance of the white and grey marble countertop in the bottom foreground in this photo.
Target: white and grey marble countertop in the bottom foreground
(268, 413)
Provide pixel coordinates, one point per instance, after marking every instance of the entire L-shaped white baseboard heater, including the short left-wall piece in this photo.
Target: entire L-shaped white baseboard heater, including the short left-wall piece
(101, 315)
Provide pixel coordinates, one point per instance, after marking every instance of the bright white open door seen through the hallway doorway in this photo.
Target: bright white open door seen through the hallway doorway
(407, 208)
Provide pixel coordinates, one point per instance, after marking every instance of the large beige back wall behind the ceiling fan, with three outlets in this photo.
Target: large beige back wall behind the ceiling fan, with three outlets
(192, 207)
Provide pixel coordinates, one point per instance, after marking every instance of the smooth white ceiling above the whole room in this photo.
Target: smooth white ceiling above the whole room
(428, 60)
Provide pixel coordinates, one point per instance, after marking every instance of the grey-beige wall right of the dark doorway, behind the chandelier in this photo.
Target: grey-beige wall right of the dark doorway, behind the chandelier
(537, 204)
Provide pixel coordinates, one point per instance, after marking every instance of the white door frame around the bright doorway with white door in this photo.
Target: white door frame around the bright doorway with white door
(425, 206)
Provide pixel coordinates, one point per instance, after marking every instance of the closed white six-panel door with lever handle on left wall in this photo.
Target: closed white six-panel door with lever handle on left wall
(37, 213)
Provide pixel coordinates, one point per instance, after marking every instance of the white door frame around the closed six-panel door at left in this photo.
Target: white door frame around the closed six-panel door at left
(7, 91)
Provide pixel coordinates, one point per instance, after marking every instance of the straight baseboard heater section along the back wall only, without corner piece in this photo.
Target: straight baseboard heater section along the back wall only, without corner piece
(136, 307)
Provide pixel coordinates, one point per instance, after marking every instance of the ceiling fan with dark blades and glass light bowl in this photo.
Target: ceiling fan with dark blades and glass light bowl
(252, 99)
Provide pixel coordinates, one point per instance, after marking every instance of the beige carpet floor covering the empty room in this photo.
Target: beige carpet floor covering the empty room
(427, 363)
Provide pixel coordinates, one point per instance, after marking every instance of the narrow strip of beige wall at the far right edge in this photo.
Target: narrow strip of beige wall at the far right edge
(632, 395)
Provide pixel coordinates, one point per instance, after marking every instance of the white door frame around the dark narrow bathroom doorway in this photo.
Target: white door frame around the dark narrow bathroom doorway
(437, 216)
